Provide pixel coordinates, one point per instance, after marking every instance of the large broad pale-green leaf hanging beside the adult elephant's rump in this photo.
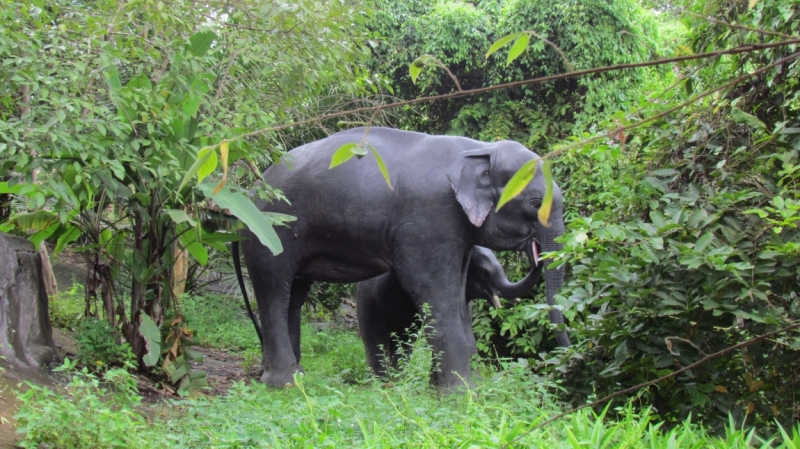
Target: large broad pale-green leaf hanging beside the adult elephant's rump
(244, 209)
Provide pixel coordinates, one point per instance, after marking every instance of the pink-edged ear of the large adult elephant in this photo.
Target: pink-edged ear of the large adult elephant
(470, 178)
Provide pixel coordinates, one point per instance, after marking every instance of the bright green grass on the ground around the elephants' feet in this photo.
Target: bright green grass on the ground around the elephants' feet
(337, 404)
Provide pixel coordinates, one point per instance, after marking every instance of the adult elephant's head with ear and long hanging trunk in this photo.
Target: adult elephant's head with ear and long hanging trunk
(478, 178)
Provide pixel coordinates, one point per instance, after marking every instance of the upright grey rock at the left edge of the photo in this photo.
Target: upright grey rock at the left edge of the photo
(26, 337)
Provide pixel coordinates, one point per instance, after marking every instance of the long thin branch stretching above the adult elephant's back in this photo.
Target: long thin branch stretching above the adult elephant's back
(736, 50)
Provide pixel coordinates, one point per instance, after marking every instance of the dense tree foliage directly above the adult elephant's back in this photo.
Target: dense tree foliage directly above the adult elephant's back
(458, 34)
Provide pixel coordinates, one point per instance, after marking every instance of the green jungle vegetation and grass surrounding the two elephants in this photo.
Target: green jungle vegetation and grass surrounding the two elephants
(132, 133)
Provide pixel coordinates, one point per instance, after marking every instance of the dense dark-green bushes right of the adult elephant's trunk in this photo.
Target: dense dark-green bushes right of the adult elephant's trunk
(683, 239)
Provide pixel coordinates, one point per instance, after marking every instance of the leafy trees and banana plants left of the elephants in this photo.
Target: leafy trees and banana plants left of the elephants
(105, 110)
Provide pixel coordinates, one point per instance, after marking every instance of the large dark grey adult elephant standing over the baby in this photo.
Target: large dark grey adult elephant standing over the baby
(351, 227)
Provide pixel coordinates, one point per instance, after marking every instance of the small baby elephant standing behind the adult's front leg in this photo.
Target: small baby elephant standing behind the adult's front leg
(384, 308)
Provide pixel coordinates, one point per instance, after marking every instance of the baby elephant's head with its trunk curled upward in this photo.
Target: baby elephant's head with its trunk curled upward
(486, 279)
